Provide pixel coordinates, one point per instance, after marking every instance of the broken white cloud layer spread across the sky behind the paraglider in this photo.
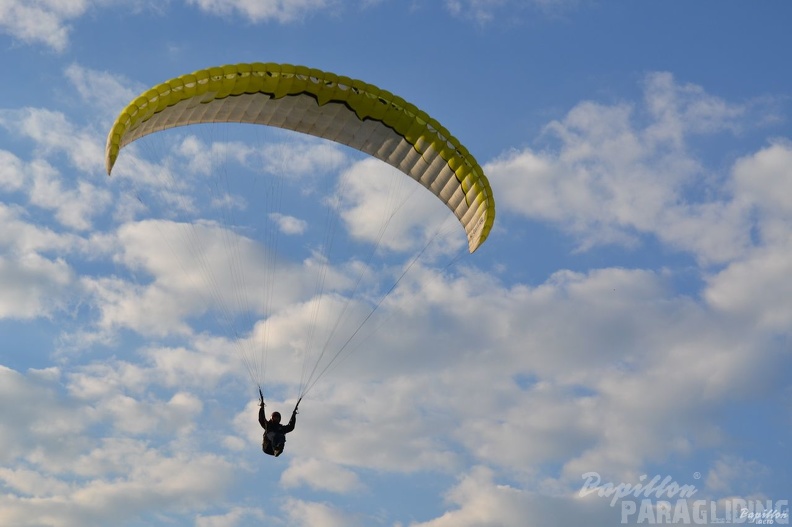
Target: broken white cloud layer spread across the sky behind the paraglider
(494, 393)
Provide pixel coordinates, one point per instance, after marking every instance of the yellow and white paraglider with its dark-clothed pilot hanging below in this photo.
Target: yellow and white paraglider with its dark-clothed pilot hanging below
(325, 105)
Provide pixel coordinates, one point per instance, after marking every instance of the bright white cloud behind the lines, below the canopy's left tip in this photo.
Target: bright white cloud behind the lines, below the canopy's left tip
(192, 267)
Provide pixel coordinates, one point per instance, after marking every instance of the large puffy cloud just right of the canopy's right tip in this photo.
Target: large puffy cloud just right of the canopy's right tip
(613, 179)
